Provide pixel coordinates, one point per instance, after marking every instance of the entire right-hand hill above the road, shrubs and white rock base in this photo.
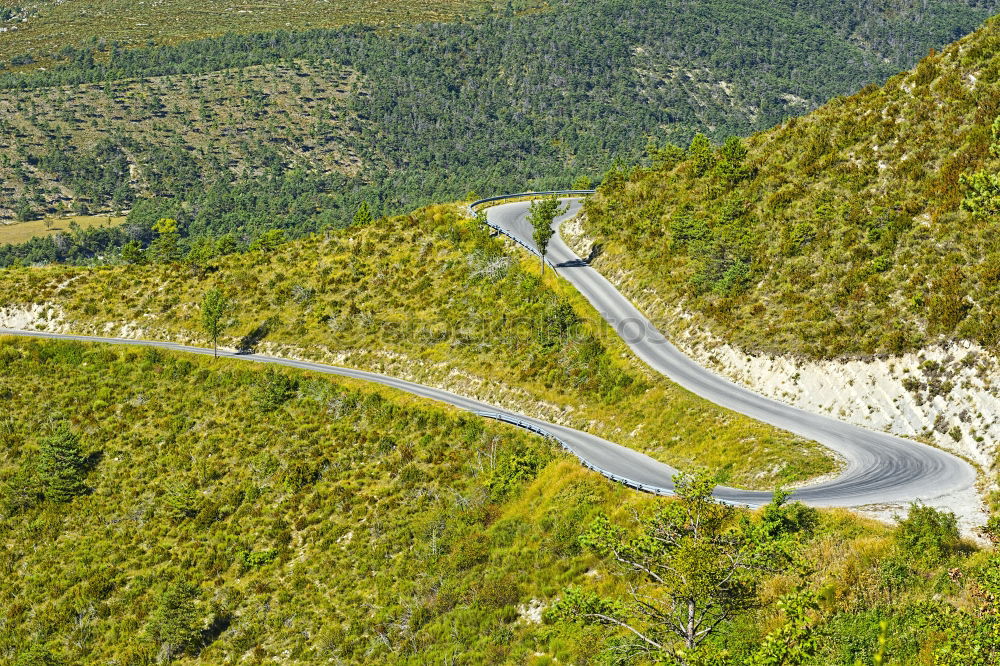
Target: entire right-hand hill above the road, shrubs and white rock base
(847, 233)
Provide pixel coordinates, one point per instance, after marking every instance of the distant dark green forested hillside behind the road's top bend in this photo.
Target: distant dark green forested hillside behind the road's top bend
(295, 129)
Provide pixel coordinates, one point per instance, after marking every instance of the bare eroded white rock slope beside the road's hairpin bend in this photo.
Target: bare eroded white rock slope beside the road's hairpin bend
(946, 394)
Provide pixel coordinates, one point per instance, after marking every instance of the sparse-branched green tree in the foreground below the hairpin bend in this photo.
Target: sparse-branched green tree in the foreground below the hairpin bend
(692, 566)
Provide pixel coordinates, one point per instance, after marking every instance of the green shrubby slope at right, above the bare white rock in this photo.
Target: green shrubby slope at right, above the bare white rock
(853, 221)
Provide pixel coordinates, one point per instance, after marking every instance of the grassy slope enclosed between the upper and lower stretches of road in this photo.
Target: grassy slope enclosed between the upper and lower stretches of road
(432, 297)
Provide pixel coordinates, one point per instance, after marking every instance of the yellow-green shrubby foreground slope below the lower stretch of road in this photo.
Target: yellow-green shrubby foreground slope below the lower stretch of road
(352, 524)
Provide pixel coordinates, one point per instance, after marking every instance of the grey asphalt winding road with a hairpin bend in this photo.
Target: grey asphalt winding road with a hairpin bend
(880, 468)
